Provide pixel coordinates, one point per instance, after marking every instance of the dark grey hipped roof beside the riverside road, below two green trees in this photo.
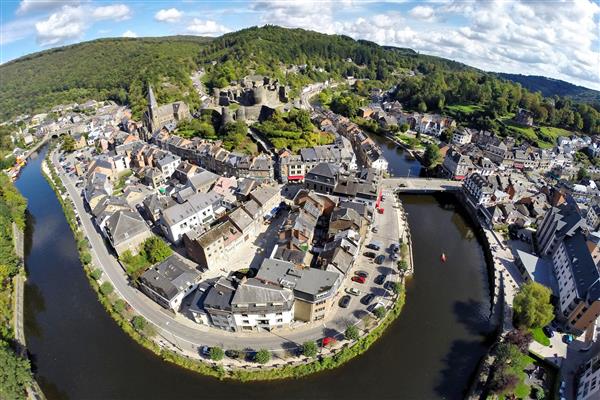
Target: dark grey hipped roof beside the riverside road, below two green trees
(171, 276)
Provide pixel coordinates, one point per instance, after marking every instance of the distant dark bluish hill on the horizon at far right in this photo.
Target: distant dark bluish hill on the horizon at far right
(554, 87)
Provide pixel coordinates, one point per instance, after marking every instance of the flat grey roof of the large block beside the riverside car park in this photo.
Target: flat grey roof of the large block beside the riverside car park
(306, 283)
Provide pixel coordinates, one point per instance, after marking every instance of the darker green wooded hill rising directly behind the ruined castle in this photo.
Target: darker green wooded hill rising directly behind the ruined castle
(270, 50)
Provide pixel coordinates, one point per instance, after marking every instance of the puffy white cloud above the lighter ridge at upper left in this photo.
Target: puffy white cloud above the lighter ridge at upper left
(61, 26)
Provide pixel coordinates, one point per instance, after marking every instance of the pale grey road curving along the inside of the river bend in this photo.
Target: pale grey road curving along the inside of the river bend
(187, 335)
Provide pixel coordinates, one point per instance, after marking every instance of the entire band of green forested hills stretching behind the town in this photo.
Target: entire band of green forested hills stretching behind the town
(119, 69)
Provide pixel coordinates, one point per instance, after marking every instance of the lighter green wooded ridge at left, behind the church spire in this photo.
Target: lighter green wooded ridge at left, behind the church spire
(116, 69)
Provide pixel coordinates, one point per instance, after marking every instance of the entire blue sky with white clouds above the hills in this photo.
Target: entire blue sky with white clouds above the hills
(554, 38)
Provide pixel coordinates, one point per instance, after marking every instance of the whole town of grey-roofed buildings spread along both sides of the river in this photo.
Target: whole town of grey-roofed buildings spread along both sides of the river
(286, 240)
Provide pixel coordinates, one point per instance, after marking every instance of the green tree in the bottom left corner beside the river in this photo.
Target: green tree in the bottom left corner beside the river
(15, 373)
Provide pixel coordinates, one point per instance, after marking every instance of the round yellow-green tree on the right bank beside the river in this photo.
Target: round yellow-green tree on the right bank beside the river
(532, 306)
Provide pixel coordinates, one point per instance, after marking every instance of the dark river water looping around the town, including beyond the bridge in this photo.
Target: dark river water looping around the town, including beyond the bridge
(430, 352)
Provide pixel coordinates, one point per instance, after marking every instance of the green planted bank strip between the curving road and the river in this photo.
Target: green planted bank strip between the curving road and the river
(339, 353)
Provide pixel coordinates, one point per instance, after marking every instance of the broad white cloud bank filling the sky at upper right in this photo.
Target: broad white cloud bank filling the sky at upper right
(555, 39)
